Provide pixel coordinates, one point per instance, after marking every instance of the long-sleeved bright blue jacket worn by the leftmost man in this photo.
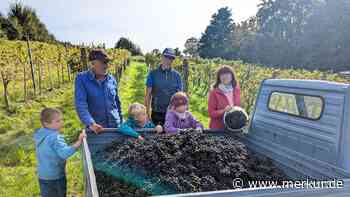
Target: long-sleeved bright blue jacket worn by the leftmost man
(97, 102)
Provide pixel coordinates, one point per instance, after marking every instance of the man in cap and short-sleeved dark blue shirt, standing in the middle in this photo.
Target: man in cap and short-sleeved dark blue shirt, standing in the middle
(162, 83)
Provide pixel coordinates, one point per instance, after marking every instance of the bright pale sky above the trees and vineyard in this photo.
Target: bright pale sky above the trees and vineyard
(149, 23)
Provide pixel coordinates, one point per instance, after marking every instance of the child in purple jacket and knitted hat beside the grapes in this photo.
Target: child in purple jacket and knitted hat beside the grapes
(177, 116)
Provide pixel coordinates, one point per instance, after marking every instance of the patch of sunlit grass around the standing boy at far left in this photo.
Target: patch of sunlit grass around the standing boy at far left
(17, 157)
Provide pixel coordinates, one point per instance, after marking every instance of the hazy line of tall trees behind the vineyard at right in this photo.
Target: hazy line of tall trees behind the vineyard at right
(310, 34)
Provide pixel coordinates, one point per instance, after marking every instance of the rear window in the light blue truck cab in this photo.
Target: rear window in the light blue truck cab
(304, 106)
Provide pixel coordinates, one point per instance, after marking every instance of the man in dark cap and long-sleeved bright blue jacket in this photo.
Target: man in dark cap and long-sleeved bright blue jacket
(96, 95)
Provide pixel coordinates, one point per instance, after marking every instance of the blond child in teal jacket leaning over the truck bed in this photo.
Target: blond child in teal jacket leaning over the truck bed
(137, 120)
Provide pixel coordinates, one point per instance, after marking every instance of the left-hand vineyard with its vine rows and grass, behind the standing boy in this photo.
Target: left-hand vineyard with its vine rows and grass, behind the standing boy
(36, 75)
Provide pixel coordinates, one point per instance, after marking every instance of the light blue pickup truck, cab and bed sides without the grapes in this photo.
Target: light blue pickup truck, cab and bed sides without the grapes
(302, 125)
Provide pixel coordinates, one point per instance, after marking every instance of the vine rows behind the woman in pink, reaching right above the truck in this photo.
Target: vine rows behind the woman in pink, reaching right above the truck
(199, 76)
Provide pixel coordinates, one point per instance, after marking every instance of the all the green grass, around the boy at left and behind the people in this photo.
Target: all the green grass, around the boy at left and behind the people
(17, 157)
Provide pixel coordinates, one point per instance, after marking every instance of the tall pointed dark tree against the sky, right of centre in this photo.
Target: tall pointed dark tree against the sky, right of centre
(218, 38)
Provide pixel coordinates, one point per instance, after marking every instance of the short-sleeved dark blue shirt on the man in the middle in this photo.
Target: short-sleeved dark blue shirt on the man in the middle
(164, 83)
